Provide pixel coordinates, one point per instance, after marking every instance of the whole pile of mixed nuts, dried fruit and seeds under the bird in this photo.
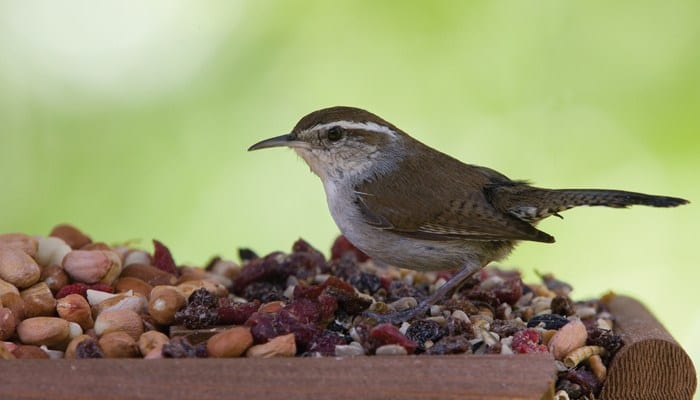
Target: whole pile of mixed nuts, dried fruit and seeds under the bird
(76, 298)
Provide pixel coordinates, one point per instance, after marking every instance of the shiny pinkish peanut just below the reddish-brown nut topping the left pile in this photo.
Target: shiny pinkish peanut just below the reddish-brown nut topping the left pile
(92, 266)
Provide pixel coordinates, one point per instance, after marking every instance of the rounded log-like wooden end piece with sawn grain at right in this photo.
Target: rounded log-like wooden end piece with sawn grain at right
(651, 364)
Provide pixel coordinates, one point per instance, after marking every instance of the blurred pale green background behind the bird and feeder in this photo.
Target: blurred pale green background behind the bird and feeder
(132, 120)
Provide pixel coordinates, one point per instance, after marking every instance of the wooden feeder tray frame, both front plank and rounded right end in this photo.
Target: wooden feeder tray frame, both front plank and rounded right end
(650, 365)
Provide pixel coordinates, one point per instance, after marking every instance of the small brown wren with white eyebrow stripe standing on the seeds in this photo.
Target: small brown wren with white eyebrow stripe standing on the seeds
(408, 205)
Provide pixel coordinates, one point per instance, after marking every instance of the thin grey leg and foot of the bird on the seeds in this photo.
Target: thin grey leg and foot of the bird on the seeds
(442, 292)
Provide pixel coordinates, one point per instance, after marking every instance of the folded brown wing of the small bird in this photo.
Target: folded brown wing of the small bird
(439, 205)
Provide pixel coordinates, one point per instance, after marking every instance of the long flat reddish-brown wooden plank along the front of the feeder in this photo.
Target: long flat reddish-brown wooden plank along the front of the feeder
(486, 377)
